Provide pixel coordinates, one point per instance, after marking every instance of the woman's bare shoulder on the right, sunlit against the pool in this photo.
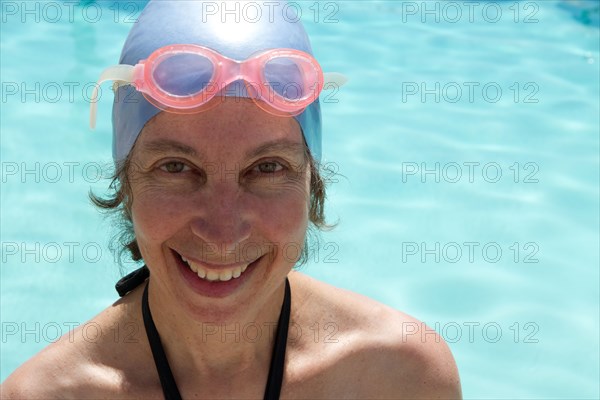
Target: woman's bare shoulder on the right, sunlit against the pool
(377, 351)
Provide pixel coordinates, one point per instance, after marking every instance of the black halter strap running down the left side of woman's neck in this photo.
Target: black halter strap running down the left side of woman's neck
(167, 381)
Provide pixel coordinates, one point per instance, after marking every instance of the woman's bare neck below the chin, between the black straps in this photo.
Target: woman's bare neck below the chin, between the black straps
(212, 341)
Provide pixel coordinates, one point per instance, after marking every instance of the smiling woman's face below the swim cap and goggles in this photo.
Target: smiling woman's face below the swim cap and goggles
(220, 202)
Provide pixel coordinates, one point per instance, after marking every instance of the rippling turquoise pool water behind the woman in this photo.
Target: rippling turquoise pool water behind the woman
(467, 143)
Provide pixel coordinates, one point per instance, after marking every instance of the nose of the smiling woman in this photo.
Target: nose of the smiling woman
(222, 219)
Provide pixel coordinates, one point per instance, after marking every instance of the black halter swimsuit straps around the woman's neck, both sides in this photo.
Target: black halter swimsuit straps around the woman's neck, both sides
(167, 381)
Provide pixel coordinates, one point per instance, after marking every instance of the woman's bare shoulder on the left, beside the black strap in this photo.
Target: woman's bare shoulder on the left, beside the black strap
(89, 360)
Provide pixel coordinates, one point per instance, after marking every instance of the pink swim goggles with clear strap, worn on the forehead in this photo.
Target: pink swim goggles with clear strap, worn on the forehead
(184, 78)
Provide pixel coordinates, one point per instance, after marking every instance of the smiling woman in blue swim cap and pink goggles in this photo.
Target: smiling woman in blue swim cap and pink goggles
(219, 180)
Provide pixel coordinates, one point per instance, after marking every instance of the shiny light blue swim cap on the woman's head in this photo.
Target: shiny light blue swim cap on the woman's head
(232, 29)
